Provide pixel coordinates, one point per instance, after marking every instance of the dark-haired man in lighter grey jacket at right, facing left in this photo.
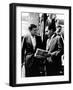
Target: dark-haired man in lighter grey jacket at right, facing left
(55, 48)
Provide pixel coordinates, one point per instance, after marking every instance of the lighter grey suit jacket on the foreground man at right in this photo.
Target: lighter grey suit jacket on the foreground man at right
(56, 48)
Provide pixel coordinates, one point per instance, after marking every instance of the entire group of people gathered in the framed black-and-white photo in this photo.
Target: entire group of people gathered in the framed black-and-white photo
(53, 43)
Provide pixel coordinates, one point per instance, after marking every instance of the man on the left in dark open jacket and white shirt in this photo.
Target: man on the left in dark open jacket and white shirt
(30, 44)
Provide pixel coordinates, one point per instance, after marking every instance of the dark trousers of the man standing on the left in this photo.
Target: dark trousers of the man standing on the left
(32, 69)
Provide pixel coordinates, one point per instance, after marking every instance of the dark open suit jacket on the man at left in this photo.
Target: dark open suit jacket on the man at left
(28, 50)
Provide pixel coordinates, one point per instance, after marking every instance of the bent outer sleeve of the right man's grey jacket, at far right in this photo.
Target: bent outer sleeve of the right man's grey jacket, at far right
(60, 47)
